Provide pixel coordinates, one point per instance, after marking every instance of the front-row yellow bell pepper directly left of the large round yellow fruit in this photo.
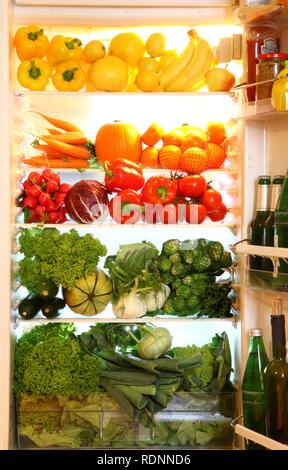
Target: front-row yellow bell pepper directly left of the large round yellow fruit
(69, 77)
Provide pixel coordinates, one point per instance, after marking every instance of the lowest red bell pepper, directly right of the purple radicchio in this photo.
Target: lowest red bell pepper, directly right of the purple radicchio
(127, 207)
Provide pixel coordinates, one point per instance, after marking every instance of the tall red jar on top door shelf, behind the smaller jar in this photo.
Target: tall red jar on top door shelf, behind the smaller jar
(262, 39)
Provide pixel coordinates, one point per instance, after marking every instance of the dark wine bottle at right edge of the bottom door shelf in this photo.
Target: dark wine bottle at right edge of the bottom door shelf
(276, 378)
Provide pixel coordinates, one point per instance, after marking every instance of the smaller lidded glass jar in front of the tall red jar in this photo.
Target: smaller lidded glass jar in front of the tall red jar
(267, 68)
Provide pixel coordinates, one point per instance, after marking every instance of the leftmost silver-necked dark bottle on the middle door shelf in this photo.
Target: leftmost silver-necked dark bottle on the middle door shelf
(257, 232)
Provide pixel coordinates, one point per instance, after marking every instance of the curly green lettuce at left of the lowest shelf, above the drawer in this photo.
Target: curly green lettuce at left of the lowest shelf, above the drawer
(49, 359)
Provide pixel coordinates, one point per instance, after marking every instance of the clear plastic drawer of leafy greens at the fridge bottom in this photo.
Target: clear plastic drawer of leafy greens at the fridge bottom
(193, 419)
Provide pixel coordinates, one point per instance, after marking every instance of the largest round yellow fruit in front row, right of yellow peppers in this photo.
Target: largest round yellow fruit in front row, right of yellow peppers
(109, 74)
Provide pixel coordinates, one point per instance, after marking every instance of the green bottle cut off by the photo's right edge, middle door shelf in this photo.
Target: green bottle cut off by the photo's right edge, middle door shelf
(281, 224)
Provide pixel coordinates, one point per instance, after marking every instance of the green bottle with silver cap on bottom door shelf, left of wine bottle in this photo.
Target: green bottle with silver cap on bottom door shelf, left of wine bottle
(253, 387)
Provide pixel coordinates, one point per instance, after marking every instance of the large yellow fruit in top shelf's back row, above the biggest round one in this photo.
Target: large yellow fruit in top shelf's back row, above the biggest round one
(128, 46)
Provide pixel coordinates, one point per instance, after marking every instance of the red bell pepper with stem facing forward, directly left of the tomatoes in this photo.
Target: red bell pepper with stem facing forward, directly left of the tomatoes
(159, 190)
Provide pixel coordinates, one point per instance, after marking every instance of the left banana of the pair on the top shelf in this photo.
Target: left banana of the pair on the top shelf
(177, 66)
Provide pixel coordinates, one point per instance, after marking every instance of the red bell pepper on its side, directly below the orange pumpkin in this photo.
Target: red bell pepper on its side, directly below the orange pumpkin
(123, 174)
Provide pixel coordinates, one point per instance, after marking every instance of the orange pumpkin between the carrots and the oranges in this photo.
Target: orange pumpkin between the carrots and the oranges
(118, 140)
